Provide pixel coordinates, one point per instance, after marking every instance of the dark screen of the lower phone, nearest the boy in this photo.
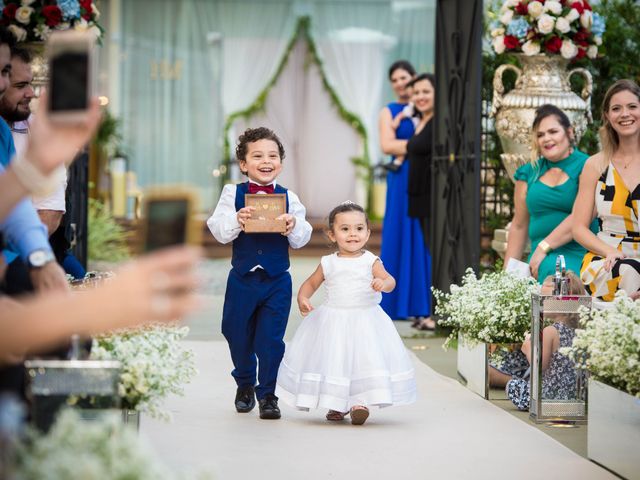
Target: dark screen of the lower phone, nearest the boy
(166, 223)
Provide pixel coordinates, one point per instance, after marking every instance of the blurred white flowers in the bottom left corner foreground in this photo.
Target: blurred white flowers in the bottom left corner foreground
(77, 449)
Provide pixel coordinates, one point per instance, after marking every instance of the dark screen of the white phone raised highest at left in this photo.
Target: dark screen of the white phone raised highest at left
(69, 81)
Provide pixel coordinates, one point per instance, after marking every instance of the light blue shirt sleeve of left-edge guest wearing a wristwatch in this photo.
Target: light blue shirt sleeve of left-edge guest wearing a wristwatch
(22, 228)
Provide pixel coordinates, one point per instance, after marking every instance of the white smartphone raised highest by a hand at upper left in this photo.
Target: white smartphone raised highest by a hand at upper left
(71, 61)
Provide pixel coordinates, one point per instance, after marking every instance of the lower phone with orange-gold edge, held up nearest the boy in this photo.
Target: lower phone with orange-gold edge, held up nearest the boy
(168, 218)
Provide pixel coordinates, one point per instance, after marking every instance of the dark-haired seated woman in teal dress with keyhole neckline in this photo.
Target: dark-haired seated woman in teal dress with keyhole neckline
(544, 195)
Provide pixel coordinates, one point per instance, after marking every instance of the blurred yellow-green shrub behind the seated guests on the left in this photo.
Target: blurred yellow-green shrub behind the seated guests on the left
(107, 240)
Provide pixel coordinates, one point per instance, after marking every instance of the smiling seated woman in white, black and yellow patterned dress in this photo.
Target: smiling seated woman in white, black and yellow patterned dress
(610, 191)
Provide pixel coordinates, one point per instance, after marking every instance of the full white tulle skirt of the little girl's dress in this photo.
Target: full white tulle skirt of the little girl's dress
(341, 357)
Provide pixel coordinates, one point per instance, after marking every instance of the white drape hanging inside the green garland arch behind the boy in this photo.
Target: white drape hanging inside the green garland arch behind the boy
(319, 144)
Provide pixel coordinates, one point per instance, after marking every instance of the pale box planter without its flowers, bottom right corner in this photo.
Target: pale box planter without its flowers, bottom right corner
(614, 429)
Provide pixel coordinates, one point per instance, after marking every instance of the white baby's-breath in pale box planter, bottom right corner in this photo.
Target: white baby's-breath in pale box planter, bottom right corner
(608, 346)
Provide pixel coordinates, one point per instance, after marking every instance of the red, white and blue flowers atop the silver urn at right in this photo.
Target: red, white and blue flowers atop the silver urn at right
(566, 27)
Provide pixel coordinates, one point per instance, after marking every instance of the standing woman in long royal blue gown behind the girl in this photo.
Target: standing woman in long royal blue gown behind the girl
(404, 252)
